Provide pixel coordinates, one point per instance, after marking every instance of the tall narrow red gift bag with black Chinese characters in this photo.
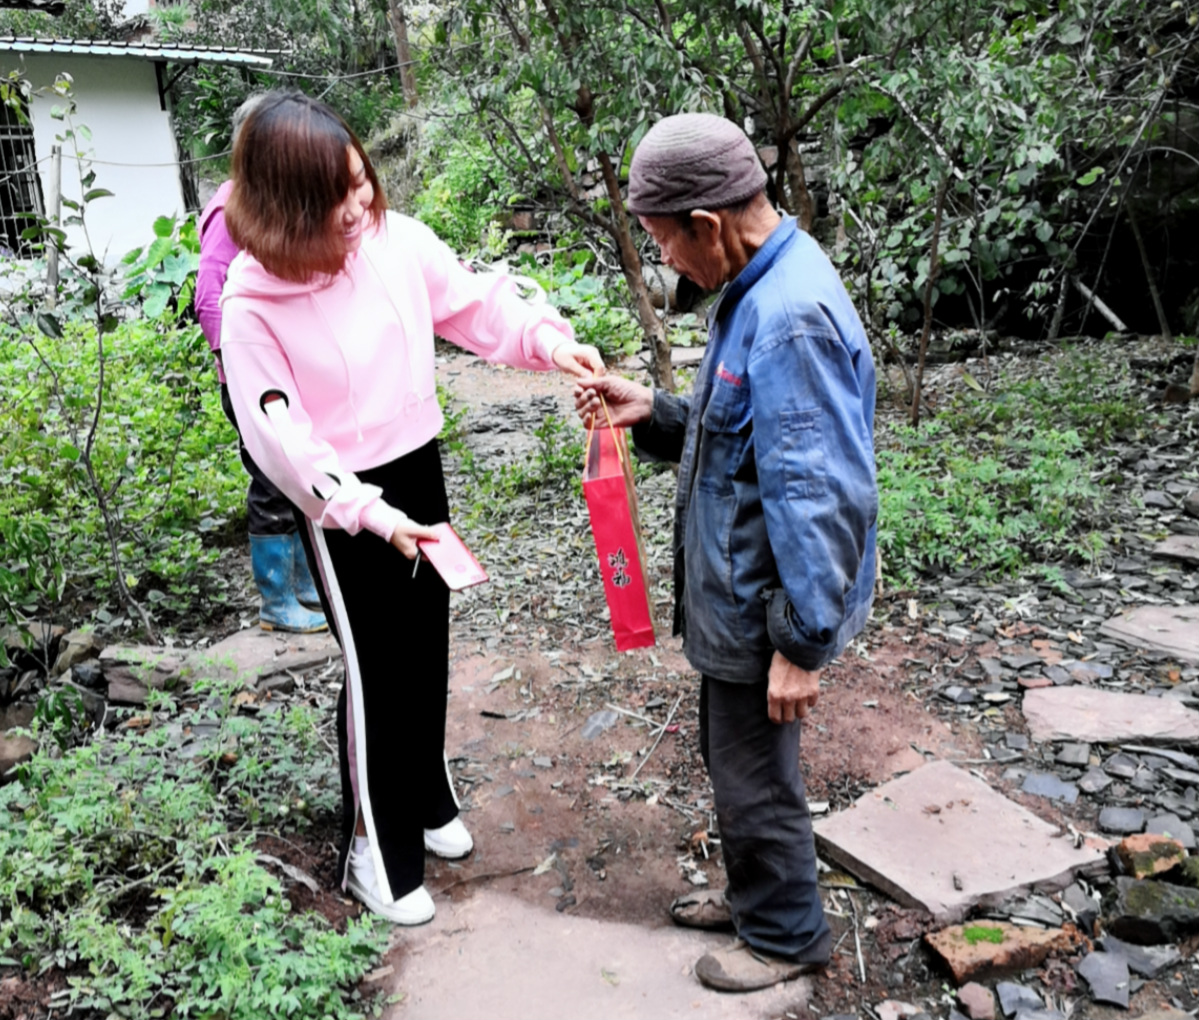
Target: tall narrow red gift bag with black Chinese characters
(612, 504)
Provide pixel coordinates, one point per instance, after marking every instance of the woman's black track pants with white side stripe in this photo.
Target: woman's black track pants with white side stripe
(395, 636)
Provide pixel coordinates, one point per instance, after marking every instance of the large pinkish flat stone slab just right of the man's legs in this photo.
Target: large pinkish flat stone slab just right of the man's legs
(943, 841)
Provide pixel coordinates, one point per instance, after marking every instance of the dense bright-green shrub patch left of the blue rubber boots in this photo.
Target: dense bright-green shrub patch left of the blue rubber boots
(162, 452)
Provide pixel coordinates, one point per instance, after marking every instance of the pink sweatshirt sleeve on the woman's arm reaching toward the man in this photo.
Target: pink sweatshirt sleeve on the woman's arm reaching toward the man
(485, 312)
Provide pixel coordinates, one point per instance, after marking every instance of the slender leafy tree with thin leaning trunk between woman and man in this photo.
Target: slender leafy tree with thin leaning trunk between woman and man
(563, 90)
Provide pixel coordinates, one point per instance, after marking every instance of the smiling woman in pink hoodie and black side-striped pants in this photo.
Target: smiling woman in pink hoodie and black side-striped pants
(329, 317)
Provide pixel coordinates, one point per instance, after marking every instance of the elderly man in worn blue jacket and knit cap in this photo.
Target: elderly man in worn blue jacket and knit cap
(775, 521)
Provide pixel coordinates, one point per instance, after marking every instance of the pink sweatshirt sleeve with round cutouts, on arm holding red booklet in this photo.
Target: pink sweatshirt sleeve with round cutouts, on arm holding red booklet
(279, 434)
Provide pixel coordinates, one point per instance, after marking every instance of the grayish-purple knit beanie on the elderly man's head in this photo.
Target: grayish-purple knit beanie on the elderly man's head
(694, 161)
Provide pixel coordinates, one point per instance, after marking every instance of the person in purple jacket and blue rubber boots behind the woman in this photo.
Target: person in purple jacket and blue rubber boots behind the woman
(276, 553)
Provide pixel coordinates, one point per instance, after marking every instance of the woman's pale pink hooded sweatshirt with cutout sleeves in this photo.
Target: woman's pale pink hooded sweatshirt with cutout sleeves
(352, 358)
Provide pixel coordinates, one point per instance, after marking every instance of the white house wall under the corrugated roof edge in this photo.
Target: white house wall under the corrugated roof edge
(132, 146)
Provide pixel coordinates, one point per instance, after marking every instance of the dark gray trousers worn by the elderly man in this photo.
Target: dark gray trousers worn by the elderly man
(767, 841)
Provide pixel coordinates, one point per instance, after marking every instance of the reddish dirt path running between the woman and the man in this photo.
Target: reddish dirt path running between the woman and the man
(562, 908)
